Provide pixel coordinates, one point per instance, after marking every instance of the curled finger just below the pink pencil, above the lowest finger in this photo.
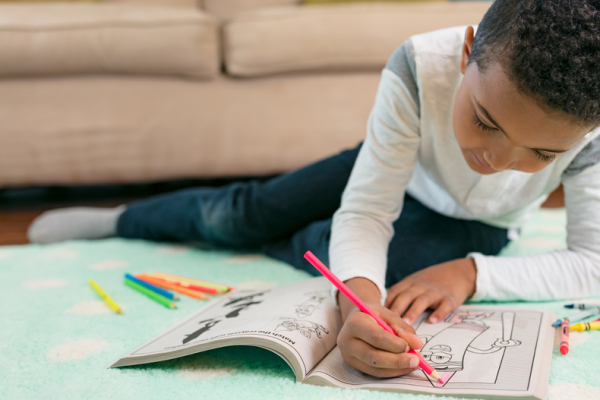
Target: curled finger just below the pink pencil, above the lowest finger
(365, 328)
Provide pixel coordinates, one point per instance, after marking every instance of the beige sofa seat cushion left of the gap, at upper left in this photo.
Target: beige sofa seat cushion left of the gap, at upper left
(60, 39)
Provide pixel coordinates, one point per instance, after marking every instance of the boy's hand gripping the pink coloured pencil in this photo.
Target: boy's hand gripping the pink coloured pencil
(369, 348)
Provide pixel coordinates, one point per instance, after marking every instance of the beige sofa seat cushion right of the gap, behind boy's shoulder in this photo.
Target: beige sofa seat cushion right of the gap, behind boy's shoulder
(358, 36)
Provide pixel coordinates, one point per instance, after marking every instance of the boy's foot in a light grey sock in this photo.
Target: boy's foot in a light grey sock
(74, 223)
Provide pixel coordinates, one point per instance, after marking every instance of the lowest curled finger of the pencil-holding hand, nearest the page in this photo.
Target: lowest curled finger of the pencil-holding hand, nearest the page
(376, 358)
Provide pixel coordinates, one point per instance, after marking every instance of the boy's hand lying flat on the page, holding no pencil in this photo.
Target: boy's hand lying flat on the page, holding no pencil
(442, 287)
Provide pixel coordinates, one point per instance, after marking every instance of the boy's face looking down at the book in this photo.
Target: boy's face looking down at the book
(498, 128)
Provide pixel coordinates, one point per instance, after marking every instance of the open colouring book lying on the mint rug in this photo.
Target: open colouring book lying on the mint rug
(490, 352)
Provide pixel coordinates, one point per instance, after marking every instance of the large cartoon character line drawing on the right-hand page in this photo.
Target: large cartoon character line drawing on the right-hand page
(468, 346)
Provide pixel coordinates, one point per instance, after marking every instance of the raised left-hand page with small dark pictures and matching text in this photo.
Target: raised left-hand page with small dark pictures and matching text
(301, 317)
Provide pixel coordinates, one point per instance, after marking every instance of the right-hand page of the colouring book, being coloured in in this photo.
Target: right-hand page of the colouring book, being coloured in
(476, 350)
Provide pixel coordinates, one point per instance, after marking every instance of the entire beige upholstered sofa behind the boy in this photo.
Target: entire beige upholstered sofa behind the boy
(148, 90)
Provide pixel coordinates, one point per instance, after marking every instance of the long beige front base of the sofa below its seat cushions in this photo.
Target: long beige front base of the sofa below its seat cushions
(106, 129)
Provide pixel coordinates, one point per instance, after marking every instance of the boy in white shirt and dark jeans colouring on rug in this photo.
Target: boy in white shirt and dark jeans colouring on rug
(451, 167)
